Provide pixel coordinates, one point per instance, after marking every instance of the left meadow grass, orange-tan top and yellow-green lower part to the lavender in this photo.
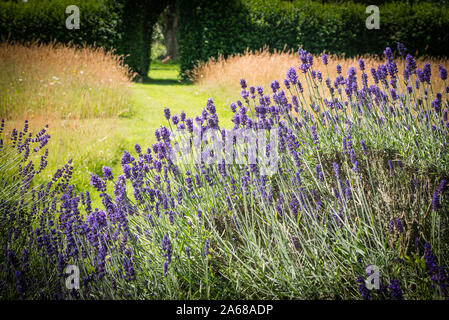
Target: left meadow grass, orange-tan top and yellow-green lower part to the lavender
(81, 93)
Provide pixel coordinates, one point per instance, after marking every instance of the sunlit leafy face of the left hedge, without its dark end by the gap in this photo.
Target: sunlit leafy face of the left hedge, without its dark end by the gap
(45, 20)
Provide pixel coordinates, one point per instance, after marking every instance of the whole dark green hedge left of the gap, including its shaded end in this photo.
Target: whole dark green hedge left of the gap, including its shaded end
(123, 25)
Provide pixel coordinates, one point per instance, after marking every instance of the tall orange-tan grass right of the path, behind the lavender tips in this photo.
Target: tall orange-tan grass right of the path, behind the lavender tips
(222, 75)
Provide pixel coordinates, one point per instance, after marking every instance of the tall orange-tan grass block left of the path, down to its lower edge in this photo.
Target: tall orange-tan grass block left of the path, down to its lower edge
(61, 81)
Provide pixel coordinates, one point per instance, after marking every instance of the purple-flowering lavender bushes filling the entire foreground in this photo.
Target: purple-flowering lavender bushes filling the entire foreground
(361, 180)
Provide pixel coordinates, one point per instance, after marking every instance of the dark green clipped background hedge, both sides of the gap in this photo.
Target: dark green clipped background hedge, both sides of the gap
(208, 28)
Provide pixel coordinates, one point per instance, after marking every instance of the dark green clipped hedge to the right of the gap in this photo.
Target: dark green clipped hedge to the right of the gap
(210, 27)
